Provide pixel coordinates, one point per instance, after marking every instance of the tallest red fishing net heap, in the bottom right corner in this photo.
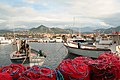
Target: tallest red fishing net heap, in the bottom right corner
(106, 67)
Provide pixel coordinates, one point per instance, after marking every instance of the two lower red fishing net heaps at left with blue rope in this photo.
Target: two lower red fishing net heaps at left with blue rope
(19, 72)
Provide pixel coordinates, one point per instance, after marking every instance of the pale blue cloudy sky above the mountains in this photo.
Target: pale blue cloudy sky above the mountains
(59, 13)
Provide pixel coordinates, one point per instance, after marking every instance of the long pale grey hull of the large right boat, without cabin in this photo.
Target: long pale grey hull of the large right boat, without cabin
(90, 51)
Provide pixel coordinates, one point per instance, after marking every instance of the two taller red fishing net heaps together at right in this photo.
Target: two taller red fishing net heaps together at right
(105, 67)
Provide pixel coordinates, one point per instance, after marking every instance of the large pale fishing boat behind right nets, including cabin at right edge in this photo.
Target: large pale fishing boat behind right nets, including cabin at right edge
(93, 50)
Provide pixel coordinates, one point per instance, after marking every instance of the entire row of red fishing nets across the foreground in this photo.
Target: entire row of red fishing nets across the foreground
(105, 67)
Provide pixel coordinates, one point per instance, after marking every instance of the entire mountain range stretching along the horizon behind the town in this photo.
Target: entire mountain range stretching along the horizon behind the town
(44, 29)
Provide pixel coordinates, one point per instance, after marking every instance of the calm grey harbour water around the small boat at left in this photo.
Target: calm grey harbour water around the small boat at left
(55, 53)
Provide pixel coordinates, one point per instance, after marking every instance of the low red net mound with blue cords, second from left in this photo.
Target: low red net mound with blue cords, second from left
(38, 73)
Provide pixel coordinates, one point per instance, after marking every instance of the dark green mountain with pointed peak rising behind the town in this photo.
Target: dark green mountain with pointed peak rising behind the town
(44, 29)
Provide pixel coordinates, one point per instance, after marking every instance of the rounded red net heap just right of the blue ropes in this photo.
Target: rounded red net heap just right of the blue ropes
(73, 70)
